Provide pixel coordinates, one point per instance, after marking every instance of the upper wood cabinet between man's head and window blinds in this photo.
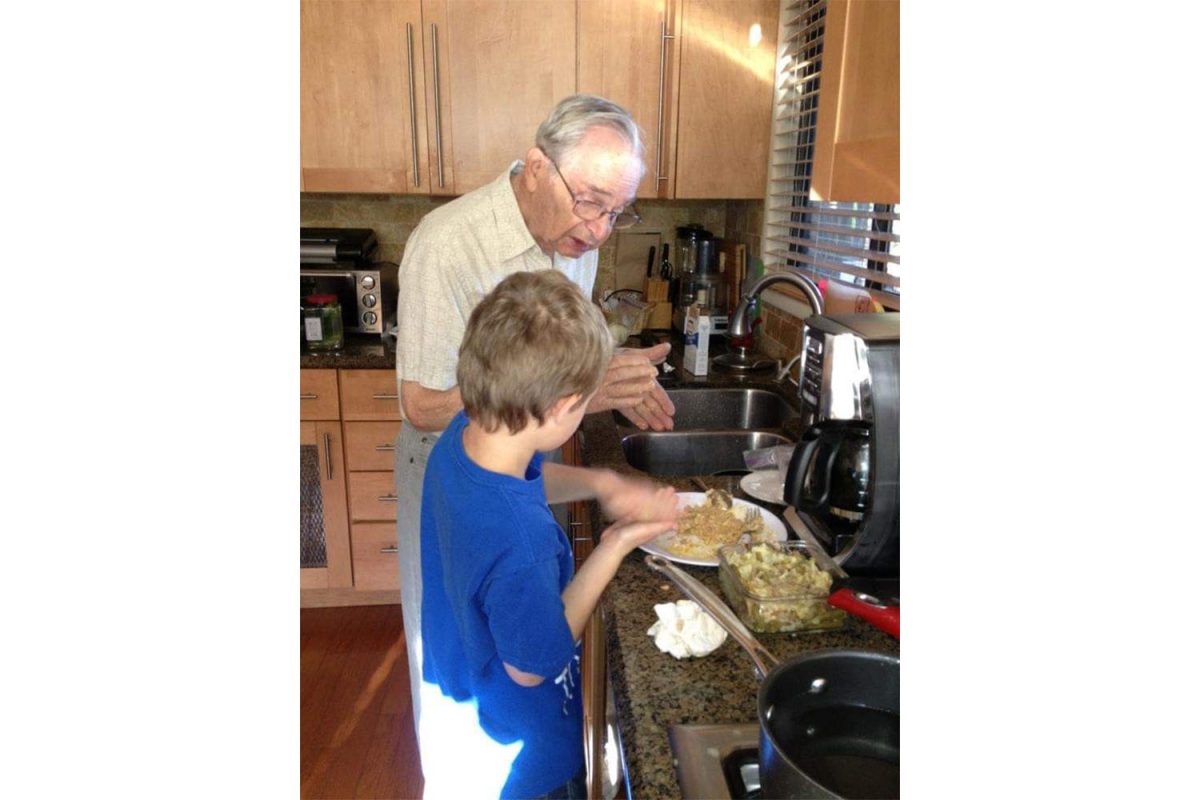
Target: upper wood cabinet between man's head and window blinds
(699, 77)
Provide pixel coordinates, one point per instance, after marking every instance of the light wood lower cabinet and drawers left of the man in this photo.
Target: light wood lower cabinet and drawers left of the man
(347, 488)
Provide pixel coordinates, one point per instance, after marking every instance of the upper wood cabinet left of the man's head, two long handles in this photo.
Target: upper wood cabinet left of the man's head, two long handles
(404, 97)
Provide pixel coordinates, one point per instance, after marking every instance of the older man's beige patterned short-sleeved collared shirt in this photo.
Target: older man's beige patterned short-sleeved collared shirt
(458, 255)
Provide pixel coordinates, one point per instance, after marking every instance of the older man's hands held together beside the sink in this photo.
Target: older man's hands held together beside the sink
(631, 386)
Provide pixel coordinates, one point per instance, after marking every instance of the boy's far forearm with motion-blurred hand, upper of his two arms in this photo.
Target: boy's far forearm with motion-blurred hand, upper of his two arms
(621, 498)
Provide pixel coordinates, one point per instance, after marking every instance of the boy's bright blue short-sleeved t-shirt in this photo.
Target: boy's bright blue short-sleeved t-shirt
(494, 566)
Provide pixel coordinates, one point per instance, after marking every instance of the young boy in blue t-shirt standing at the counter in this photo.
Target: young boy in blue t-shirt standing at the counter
(502, 612)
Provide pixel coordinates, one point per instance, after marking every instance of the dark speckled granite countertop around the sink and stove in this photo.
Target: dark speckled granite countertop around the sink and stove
(653, 690)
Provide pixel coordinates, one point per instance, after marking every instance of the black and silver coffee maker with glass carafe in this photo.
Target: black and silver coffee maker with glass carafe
(844, 478)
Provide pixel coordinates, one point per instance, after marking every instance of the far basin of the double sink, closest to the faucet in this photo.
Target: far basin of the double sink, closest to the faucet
(725, 410)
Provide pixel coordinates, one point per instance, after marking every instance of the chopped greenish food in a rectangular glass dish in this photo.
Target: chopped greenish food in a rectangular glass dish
(777, 587)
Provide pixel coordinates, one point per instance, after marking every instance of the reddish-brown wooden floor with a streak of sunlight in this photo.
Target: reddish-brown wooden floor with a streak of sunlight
(357, 737)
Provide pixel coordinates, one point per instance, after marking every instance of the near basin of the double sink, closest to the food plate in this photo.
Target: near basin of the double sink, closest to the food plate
(695, 453)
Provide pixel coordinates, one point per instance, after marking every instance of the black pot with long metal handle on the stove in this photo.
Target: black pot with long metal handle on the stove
(829, 721)
